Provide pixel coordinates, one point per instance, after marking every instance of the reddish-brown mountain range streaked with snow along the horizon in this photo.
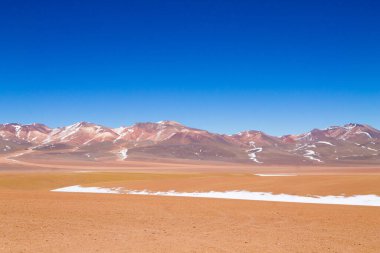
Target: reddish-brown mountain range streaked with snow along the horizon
(351, 144)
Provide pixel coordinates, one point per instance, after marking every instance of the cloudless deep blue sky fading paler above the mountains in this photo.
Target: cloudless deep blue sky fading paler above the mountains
(224, 66)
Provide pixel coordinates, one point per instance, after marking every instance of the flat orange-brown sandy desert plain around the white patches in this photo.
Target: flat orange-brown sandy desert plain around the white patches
(37, 220)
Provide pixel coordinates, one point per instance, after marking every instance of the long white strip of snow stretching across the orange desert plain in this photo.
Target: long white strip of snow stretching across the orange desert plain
(356, 200)
